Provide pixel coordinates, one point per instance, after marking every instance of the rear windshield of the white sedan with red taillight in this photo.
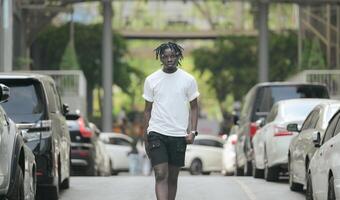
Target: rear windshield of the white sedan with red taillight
(298, 111)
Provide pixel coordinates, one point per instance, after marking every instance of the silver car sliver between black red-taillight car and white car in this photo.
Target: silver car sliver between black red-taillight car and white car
(102, 158)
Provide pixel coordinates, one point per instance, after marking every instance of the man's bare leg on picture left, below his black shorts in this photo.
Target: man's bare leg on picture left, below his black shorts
(161, 176)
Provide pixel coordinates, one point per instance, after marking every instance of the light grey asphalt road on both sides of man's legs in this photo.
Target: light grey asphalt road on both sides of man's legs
(213, 187)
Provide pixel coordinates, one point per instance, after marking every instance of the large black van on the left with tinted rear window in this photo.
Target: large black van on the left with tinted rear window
(36, 108)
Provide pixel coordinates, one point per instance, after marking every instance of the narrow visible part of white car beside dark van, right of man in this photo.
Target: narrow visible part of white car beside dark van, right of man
(228, 155)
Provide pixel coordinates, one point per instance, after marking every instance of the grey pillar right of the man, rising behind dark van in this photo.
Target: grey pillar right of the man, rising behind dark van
(263, 42)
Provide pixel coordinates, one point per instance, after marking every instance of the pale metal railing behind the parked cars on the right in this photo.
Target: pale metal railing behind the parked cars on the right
(330, 78)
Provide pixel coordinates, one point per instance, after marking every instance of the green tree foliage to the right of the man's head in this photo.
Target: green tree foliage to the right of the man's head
(233, 63)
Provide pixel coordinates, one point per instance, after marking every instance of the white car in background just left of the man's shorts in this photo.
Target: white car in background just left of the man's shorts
(118, 146)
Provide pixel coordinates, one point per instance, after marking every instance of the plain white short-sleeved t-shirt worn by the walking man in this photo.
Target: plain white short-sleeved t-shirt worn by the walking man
(170, 94)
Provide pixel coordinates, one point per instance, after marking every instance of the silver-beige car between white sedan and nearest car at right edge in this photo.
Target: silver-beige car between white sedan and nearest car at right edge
(301, 148)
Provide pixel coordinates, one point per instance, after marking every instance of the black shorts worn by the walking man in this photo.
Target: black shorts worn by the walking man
(166, 149)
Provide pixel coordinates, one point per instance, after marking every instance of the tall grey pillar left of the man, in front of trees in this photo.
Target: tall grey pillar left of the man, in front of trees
(107, 67)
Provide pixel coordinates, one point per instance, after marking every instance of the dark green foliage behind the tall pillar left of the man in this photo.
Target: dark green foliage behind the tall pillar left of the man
(88, 45)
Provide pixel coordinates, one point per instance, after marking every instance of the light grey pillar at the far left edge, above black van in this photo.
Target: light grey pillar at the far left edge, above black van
(6, 35)
